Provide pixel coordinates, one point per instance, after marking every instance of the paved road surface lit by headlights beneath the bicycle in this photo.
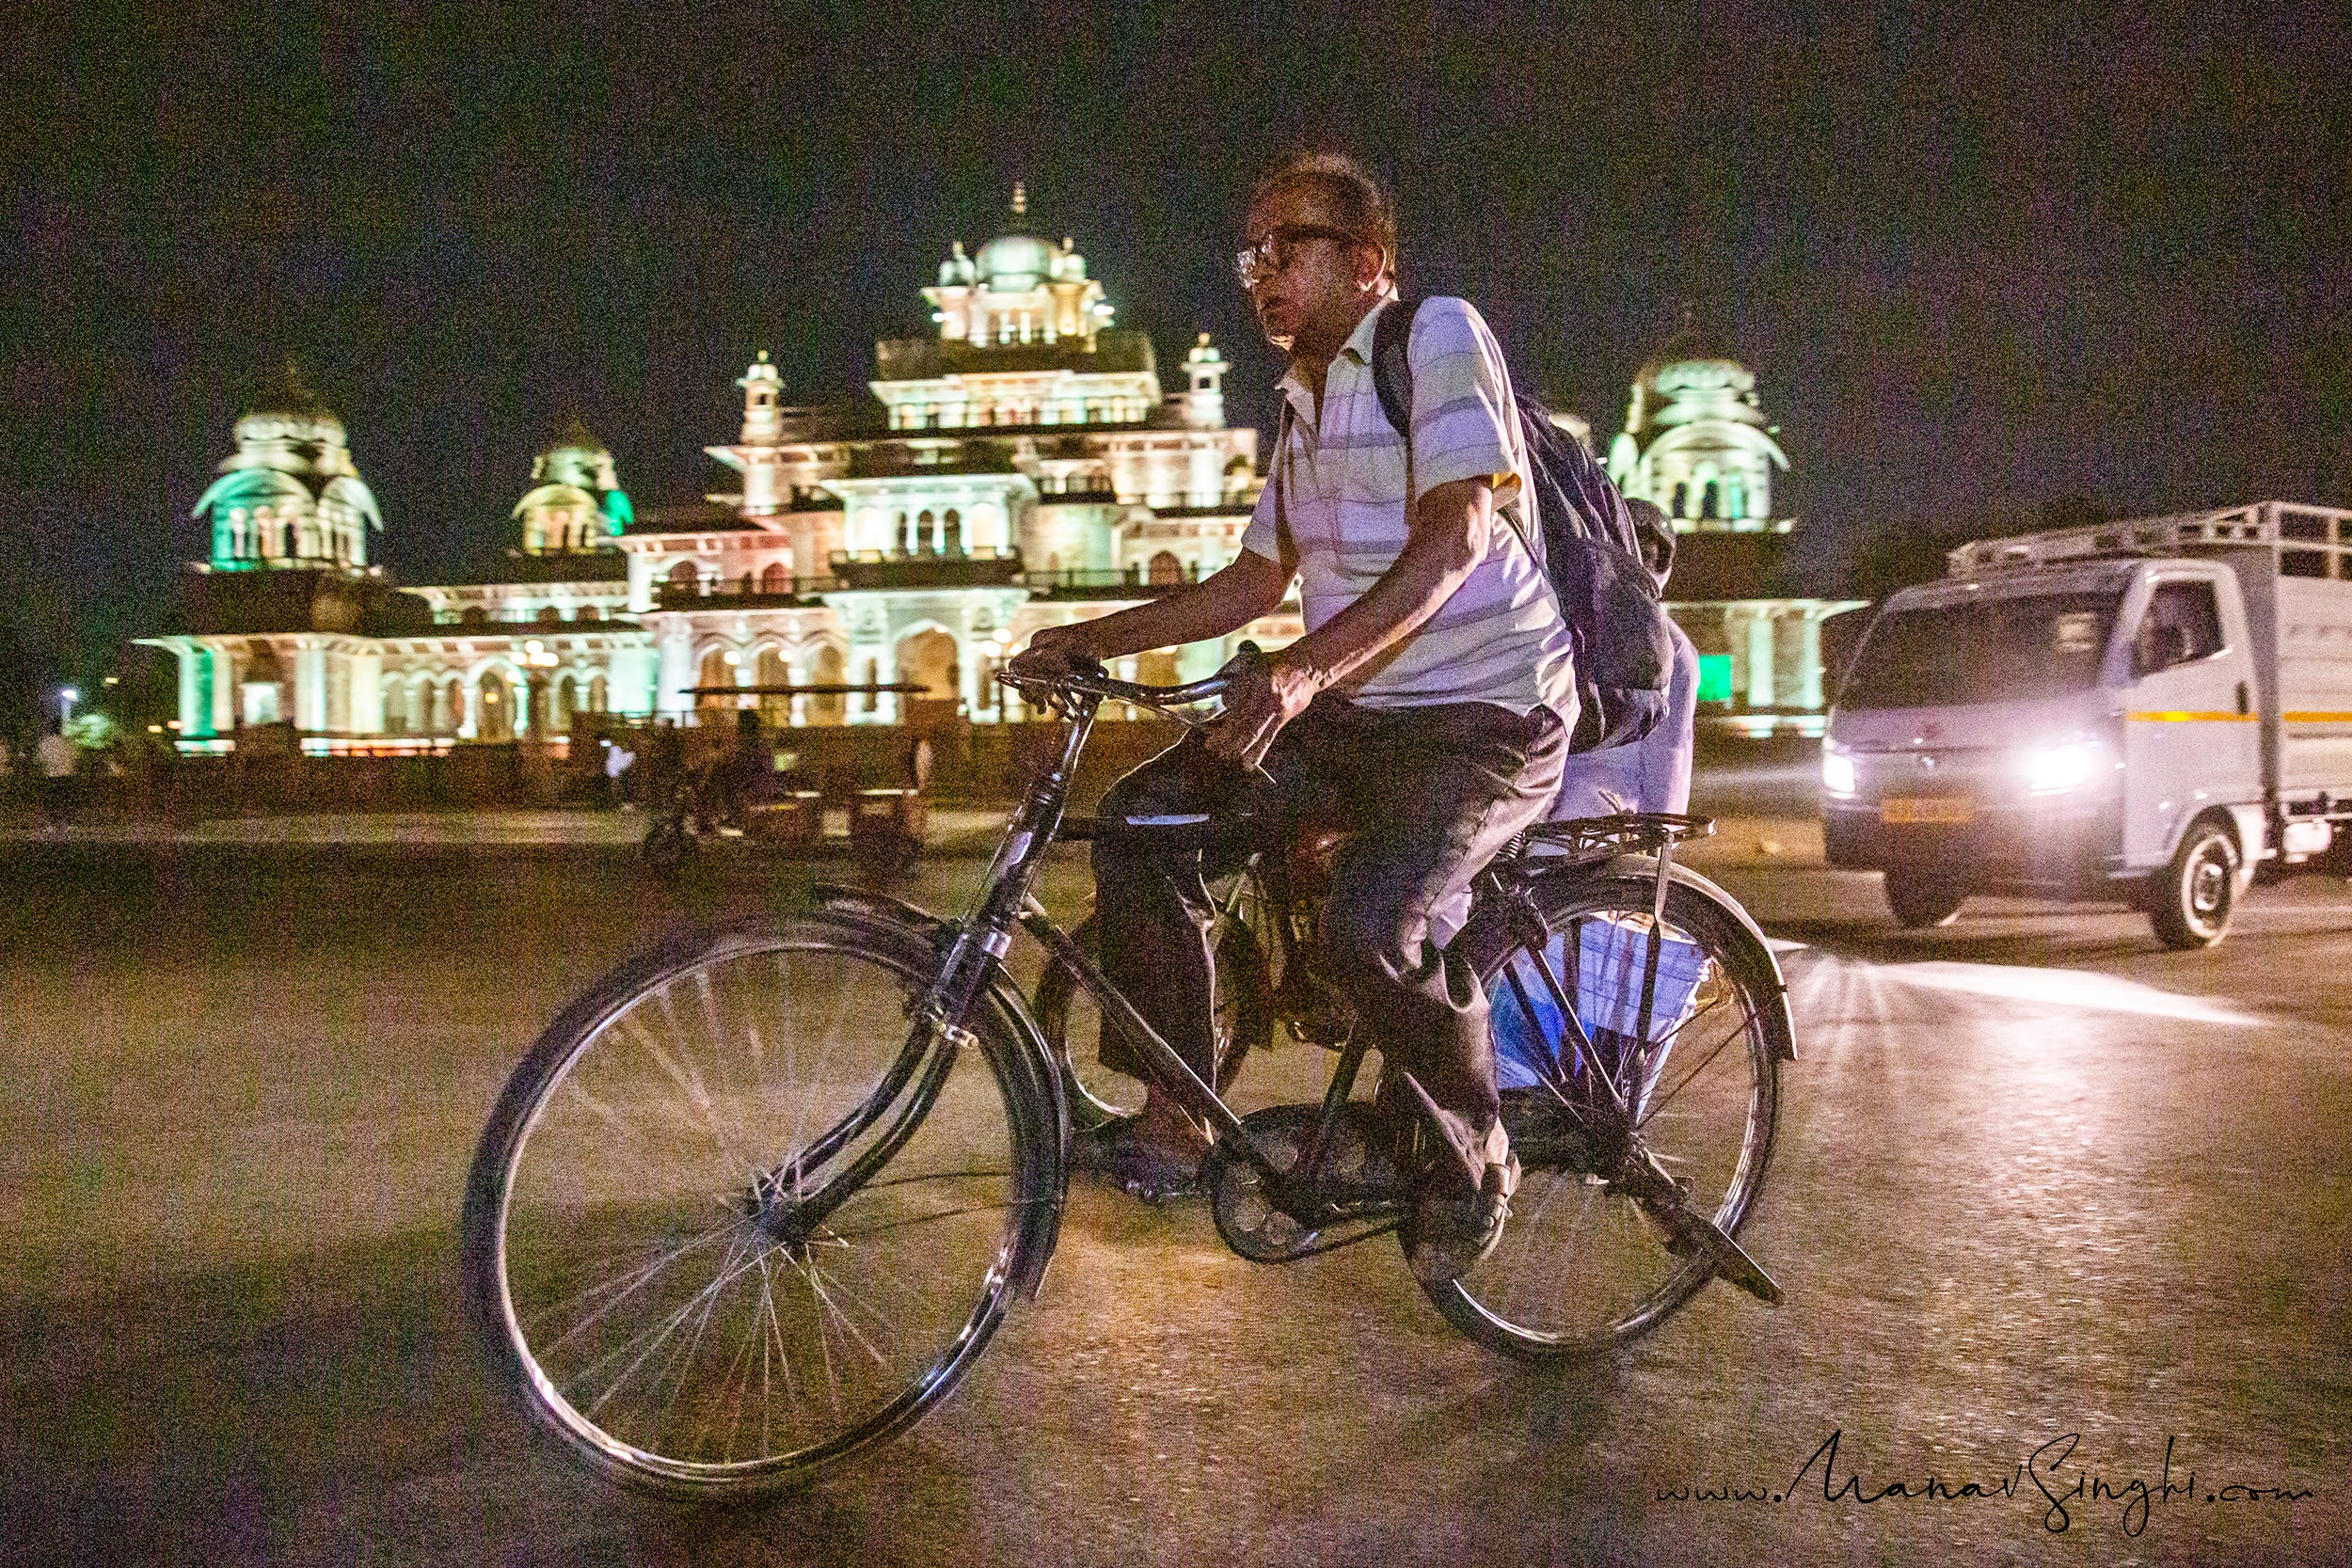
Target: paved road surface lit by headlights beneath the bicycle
(2038, 1179)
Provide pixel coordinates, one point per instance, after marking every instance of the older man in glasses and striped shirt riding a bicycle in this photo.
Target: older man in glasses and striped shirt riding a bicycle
(1426, 709)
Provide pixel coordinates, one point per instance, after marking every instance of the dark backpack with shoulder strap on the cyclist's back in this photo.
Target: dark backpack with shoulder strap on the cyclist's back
(1584, 542)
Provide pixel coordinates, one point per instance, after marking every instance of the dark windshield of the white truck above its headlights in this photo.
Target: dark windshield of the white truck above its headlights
(1982, 652)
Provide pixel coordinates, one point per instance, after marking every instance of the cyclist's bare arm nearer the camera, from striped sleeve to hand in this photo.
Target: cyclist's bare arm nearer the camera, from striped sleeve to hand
(1443, 544)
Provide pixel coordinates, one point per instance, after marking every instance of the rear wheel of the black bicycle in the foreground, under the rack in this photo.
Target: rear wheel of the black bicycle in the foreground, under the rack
(1584, 1268)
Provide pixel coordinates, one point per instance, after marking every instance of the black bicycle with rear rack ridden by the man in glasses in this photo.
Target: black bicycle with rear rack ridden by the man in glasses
(714, 1252)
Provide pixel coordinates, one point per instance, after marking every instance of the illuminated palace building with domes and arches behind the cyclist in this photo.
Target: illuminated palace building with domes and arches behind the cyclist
(1020, 469)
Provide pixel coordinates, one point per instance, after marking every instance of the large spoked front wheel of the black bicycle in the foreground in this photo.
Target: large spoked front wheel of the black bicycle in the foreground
(634, 1238)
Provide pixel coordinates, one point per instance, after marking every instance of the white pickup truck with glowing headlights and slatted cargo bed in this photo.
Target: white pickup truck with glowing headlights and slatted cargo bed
(2146, 711)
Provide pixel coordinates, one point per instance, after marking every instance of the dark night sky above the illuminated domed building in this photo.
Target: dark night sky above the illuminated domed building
(1977, 262)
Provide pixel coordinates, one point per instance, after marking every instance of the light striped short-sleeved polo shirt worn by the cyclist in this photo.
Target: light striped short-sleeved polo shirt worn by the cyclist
(1344, 476)
